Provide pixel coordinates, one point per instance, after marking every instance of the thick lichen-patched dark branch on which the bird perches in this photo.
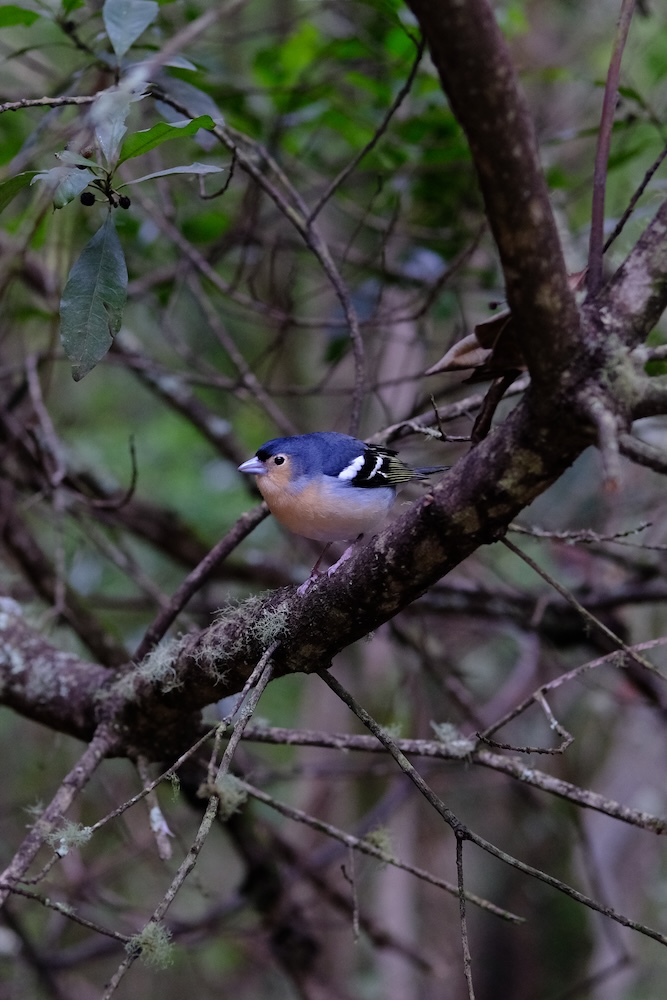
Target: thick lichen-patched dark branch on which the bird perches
(155, 706)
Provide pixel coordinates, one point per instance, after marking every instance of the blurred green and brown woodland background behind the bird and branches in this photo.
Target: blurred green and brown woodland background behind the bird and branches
(233, 333)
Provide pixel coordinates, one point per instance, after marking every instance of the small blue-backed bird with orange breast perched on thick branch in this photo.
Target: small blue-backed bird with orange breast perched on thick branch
(329, 487)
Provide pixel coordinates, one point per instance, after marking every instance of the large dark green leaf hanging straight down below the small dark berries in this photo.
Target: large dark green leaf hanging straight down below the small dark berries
(91, 308)
